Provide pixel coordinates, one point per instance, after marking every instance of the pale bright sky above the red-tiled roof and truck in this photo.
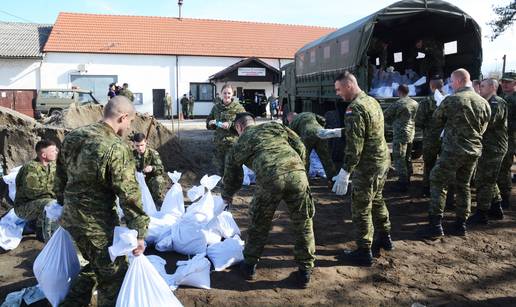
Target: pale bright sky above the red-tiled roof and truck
(330, 13)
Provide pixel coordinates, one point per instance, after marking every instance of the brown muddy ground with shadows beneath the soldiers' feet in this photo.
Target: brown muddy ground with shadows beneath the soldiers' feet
(479, 270)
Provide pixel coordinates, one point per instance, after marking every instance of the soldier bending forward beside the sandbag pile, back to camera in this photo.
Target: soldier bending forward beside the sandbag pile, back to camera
(276, 154)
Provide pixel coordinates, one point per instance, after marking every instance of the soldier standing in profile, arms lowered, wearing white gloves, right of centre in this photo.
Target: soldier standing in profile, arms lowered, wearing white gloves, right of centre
(366, 157)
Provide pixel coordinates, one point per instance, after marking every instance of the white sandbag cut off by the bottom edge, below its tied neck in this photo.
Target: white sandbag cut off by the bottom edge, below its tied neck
(143, 286)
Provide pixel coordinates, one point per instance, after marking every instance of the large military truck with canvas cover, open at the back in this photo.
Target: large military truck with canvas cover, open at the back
(308, 82)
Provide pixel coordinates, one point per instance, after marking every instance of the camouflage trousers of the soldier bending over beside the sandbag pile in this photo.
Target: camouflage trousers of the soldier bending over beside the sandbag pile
(294, 190)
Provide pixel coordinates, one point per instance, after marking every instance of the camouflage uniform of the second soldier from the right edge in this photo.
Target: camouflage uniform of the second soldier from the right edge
(494, 147)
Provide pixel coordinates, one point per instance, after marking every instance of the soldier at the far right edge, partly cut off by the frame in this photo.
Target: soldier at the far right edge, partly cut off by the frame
(504, 178)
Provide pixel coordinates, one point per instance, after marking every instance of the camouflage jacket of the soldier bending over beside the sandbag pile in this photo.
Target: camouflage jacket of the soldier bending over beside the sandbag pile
(269, 149)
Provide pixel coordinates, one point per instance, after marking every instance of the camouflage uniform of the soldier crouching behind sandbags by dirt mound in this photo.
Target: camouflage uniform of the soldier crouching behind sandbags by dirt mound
(154, 180)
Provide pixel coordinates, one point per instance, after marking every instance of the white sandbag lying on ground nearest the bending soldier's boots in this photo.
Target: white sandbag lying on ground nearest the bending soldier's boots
(226, 253)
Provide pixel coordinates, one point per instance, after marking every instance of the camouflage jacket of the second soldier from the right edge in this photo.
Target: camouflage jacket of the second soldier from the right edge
(494, 139)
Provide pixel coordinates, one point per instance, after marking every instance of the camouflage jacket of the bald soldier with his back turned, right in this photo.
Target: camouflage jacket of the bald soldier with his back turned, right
(464, 117)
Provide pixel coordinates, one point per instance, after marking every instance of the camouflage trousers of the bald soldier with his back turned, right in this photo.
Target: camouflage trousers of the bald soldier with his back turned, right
(452, 169)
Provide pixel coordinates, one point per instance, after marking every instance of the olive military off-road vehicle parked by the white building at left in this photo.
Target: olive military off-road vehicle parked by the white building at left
(54, 101)
